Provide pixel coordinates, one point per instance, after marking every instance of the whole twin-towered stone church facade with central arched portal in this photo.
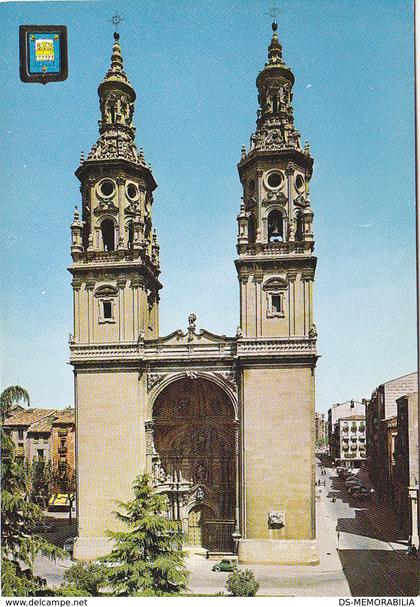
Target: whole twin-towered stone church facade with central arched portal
(223, 425)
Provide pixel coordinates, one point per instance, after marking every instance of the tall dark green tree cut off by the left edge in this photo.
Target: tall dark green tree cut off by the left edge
(19, 516)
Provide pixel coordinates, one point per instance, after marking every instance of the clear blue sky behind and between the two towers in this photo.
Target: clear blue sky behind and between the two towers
(193, 64)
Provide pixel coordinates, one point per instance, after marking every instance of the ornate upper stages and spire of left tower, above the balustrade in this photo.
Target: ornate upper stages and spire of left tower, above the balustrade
(115, 254)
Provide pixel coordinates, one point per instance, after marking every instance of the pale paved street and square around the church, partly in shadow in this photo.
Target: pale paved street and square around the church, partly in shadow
(358, 545)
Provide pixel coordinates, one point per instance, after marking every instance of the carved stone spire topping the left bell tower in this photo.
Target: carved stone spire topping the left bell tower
(116, 127)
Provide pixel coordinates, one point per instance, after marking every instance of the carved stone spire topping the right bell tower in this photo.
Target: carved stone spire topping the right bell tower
(275, 128)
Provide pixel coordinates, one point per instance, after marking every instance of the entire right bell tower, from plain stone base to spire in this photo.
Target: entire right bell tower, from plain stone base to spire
(277, 335)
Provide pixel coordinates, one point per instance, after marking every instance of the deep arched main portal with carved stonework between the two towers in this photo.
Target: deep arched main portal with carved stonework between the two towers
(193, 460)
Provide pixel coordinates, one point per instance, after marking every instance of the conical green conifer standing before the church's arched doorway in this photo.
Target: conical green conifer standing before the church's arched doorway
(147, 559)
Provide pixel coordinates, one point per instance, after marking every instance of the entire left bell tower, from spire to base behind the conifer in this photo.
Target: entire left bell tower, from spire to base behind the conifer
(116, 287)
